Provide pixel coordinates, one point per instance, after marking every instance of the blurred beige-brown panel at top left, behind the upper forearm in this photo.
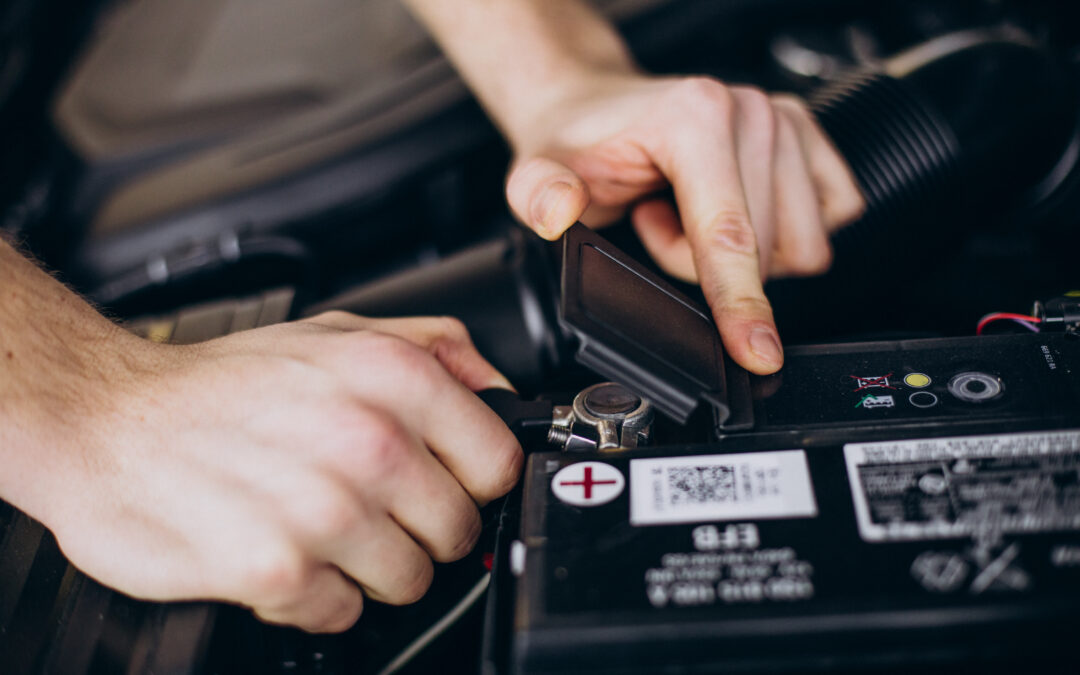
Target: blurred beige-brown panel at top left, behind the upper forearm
(252, 90)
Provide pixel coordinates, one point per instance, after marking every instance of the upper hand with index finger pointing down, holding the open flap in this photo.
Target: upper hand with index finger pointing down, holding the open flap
(759, 188)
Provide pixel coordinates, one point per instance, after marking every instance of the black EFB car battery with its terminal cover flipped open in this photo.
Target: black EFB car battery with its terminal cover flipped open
(888, 507)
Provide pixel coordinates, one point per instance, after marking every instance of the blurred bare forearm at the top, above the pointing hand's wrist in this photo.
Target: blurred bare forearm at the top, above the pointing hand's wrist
(521, 58)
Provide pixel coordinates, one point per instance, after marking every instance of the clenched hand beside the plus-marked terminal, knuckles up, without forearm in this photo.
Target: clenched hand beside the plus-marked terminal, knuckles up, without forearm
(288, 468)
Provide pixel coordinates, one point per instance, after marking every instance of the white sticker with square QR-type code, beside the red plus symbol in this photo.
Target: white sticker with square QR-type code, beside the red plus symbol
(721, 488)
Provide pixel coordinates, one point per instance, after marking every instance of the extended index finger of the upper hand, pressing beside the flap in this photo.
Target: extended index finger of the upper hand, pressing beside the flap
(700, 160)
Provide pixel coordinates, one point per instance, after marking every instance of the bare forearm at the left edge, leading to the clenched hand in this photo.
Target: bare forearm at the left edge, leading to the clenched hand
(57, 356)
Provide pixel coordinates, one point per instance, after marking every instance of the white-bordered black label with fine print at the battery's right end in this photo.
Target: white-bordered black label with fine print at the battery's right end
(970, 487)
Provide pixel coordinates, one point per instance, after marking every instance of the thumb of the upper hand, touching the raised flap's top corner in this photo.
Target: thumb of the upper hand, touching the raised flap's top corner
(546, 196)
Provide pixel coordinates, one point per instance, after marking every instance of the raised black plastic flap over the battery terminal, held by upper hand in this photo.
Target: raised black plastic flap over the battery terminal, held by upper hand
(637, 330)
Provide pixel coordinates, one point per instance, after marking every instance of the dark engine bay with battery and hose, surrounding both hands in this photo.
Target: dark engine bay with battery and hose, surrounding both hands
(904, 494)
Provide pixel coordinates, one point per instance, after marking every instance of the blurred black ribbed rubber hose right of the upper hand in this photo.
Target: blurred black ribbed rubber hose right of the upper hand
(948, 136)
